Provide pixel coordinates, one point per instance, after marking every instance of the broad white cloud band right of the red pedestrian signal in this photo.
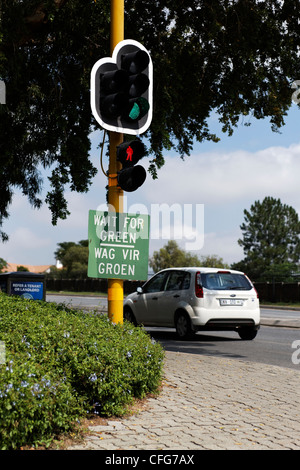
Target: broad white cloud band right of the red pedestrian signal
(221, 178)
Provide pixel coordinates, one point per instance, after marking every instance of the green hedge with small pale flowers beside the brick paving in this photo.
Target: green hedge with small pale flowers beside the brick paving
(61, 364)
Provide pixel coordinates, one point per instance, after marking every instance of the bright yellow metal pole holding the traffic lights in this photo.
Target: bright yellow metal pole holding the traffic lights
(115, 194)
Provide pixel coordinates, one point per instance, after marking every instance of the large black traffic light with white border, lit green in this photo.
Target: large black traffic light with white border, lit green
(121, 89)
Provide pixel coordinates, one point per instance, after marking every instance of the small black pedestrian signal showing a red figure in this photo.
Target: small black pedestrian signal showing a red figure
(131, 176)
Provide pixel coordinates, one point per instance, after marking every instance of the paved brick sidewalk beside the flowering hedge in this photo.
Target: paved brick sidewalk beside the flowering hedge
(210, 403)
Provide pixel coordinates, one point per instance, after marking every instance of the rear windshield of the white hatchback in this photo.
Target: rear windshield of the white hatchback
(225, 281)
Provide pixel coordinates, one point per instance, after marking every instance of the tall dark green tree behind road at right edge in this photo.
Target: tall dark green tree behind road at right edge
(270, 240)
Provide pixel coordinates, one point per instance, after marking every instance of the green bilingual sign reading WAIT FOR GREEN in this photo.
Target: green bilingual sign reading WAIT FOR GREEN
(118, 245)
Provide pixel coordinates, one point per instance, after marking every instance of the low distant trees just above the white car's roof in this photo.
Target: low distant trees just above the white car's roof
(171, 256)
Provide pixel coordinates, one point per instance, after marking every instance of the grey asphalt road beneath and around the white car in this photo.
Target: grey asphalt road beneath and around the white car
(272, 345)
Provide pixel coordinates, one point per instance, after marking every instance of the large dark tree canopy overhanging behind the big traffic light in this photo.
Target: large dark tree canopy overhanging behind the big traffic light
(235, 57)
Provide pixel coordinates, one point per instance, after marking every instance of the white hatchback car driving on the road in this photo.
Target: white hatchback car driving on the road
(193, 299)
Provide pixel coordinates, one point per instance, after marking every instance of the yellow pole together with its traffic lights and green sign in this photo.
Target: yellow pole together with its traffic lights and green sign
(121, 102)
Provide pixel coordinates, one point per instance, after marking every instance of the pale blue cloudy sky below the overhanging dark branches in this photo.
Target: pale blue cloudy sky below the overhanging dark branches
(199, 202)
